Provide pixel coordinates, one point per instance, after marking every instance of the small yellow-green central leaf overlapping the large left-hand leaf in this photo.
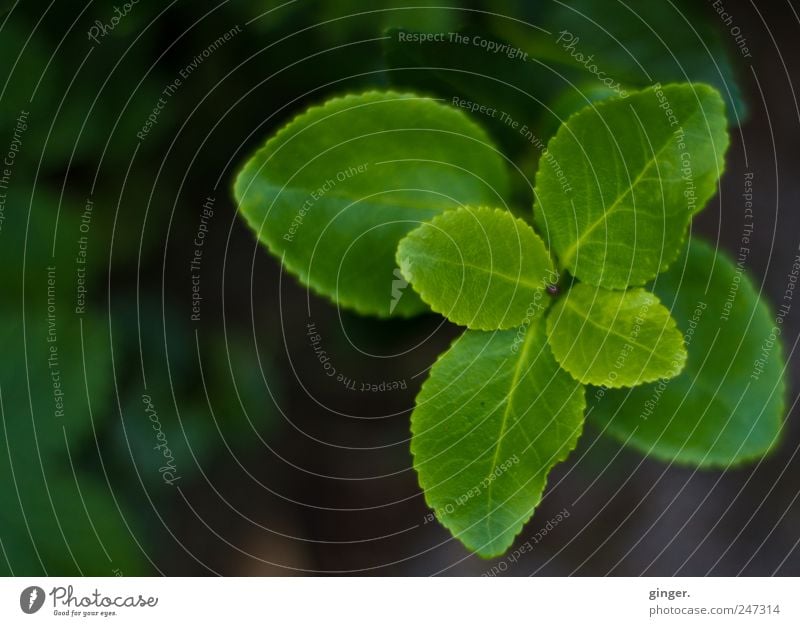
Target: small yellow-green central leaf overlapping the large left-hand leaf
(481, 268)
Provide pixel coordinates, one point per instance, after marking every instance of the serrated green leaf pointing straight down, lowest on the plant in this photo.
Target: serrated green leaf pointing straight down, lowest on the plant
(492, 419)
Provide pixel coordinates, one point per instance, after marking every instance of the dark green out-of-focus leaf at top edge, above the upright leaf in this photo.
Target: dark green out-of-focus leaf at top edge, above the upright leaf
(638, 42)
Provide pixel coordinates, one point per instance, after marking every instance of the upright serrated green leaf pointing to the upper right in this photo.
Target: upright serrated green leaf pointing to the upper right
(623, 178)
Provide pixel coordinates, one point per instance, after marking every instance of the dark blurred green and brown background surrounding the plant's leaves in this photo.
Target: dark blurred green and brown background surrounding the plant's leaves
(150, 442)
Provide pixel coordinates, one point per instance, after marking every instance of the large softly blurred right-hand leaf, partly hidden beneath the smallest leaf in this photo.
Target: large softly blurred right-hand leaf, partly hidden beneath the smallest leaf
(727, 405)
